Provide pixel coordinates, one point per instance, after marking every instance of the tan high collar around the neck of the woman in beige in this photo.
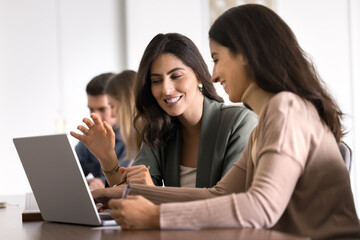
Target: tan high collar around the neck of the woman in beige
(256, 98)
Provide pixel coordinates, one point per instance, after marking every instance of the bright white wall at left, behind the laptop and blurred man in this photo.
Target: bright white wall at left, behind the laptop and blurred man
(50, 49)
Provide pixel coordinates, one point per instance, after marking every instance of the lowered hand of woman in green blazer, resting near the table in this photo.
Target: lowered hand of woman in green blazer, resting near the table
(136, 174)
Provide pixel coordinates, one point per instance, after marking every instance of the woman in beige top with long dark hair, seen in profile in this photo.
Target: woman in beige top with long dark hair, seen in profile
(291, 176)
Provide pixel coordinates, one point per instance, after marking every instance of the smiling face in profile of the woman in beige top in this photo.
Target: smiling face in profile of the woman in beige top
(230, 70)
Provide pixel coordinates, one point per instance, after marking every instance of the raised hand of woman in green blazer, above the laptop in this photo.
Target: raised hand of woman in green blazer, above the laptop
(98, 137)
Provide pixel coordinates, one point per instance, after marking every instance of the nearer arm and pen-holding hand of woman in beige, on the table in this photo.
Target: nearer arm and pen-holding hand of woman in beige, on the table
(276, 176)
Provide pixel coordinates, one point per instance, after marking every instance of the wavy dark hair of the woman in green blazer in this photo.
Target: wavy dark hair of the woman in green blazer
(155, 124)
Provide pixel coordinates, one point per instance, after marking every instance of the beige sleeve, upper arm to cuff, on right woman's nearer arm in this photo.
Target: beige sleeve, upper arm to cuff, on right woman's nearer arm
(260, 207)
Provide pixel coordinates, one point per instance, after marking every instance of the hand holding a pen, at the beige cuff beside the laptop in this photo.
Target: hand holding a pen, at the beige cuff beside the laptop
(135, 212)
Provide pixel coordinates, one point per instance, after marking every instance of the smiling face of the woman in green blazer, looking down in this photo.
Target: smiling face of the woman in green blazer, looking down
(175, 86)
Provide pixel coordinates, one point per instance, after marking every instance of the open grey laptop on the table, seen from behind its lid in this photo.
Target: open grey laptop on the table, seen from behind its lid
(57, 180)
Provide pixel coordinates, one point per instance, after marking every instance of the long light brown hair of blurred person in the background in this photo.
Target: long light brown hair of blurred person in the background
(121, 88)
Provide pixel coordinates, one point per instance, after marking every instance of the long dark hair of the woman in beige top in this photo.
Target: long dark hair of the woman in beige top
(276, 62)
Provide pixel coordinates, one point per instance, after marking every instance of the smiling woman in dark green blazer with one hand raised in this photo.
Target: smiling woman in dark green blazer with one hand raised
(190, 138)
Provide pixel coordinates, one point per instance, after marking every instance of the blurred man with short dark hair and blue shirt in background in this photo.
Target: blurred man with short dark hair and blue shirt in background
(98, 103)
